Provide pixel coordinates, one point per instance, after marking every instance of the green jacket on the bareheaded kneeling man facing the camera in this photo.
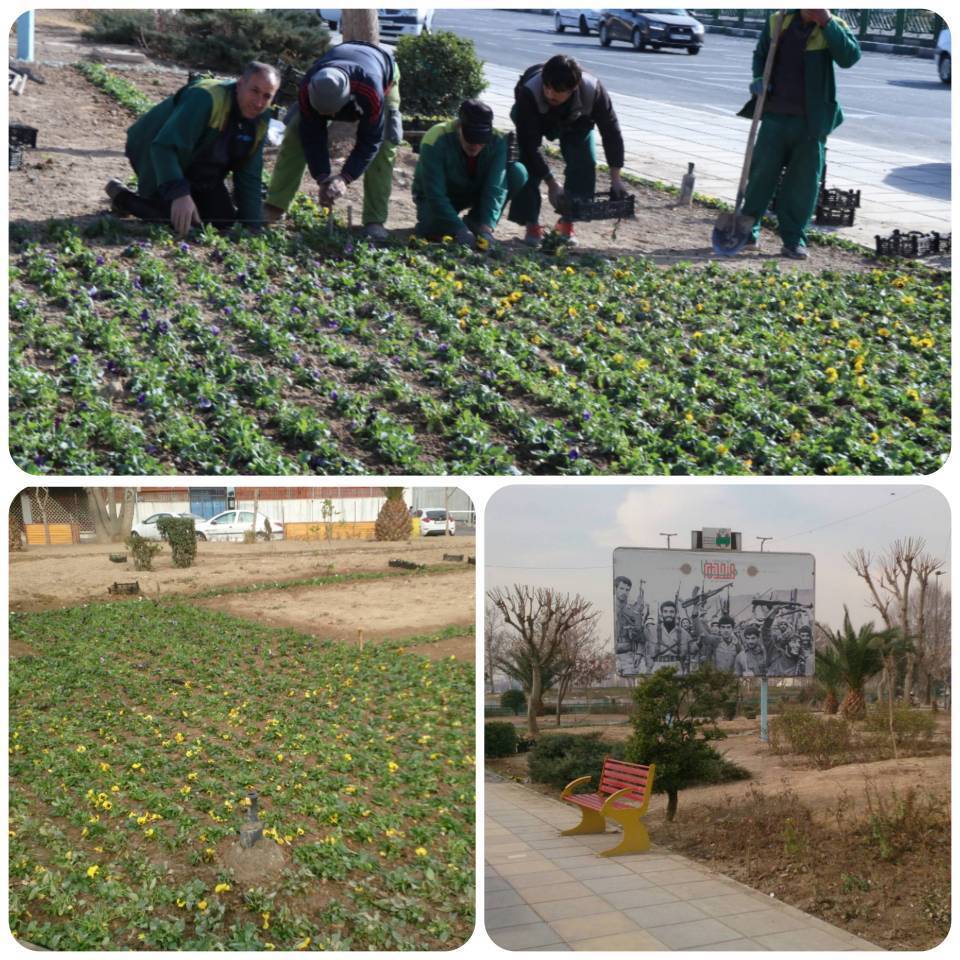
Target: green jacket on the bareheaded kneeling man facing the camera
(163, 143)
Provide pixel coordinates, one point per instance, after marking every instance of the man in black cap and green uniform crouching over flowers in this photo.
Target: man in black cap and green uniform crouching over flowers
(463, 163)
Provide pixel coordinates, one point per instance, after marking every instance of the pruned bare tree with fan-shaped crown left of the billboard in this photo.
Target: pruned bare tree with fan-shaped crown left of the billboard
(542, 620)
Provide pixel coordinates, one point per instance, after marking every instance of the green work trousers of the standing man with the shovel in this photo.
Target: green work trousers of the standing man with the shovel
(783, 142)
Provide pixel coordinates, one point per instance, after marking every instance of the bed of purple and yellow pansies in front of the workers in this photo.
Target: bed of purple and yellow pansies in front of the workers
(296, 352)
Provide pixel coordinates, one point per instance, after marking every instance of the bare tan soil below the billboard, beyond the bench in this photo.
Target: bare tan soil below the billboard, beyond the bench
(769, 772)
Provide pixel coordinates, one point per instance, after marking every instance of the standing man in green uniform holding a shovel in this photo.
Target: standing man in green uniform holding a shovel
(800, 111)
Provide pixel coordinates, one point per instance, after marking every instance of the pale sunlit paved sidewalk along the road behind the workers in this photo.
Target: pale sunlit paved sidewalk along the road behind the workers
(898, 190)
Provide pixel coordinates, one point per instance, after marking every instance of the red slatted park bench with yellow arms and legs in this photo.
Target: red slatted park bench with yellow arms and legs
(623, 796)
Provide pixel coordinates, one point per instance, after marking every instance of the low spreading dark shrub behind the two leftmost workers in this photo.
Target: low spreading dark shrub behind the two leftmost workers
(222, 40)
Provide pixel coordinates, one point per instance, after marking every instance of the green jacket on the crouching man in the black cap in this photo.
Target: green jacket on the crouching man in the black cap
(442, 182)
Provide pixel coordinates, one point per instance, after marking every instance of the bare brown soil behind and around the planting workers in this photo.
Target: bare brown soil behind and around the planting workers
(82, 133)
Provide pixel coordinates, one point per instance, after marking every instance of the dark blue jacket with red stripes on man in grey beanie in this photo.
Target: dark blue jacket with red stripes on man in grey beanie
(370, 70)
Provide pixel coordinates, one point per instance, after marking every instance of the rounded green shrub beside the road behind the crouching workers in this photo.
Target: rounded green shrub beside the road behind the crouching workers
(437, 72)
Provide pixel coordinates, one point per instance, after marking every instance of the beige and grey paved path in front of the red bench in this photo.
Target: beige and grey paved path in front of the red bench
(546, 892)
